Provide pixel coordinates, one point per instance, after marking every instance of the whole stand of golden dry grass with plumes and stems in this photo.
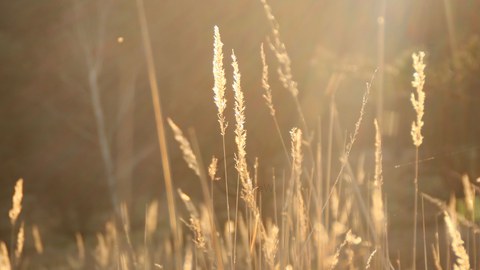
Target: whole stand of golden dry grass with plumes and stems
(318, 219)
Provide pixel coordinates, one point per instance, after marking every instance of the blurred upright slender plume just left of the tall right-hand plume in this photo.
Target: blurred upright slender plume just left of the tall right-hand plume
(377, 201)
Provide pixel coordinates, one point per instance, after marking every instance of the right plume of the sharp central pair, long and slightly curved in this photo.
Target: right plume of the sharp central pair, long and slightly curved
(241, 138)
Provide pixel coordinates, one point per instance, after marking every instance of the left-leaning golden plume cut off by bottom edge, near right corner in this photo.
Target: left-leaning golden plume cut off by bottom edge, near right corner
(462, 261)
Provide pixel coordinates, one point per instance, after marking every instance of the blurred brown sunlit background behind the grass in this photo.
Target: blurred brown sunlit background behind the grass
(76, 110)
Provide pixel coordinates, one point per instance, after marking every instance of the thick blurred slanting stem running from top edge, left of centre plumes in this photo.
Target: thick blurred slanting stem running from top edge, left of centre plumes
(160, 131)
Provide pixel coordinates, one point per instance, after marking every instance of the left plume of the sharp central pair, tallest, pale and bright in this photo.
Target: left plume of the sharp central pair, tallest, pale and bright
(219, 80)
